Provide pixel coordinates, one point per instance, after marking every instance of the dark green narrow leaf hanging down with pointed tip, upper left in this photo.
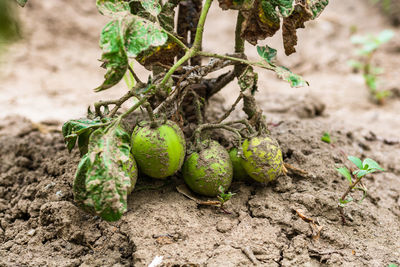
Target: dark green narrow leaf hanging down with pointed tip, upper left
(114, 57)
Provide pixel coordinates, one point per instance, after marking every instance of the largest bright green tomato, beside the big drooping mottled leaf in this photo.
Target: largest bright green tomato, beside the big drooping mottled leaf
(159, 152)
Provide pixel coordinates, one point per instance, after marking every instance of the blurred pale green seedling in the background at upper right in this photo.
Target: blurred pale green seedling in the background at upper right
(369, 44)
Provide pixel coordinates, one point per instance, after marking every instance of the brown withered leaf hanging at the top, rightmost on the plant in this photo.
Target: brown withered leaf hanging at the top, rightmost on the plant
(304, 10)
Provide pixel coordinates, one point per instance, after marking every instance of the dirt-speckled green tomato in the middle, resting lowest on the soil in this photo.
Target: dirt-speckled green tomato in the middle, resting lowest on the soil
(206, 171)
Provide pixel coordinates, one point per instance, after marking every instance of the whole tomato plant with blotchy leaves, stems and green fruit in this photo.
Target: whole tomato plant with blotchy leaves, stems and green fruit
(177, 90)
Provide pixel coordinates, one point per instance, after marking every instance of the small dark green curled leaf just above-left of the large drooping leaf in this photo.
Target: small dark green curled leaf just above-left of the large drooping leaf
(73, 129)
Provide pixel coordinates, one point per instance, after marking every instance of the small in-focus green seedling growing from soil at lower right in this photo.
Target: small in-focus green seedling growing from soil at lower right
(354, 177)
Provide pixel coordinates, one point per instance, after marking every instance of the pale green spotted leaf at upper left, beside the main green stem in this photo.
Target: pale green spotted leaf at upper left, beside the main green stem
(141, 34)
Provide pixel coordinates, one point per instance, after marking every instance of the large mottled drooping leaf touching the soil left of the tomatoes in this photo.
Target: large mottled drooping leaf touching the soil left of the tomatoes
(106, 174)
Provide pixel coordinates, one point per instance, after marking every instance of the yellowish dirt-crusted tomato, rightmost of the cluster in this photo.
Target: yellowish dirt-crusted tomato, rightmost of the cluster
(262, 158)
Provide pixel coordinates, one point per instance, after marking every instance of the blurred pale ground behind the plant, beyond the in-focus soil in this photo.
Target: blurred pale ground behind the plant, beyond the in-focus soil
(49, 72)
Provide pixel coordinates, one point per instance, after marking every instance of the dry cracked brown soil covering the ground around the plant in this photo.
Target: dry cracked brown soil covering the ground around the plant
(292, 222)
